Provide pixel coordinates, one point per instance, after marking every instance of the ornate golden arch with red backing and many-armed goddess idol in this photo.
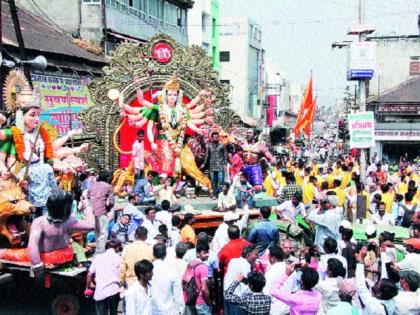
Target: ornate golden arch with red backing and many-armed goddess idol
(169, 91)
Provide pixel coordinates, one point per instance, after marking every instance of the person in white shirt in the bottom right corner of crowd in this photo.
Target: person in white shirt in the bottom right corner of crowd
(408, 300)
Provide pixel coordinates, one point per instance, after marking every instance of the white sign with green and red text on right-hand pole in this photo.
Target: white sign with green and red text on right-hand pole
(361, 128)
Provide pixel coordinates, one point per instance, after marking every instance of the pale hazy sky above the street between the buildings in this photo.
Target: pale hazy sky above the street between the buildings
(297, 35)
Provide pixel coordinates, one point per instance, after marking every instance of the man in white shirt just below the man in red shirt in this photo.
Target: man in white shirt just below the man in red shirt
(241, 265)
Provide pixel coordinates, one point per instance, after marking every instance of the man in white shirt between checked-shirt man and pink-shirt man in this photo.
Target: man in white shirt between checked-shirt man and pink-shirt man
(276, 271)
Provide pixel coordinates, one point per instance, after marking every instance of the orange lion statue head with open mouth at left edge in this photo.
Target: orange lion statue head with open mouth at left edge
(14, 212)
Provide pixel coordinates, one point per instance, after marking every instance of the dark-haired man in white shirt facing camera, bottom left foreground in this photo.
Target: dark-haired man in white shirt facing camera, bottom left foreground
(139, 295)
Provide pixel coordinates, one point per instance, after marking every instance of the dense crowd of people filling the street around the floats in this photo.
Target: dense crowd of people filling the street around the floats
(298, 257)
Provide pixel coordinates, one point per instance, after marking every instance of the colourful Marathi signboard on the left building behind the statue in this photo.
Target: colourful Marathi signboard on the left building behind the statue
(62, 98)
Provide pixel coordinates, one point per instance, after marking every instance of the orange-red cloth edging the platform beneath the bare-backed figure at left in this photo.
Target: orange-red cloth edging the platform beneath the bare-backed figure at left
(56, 257)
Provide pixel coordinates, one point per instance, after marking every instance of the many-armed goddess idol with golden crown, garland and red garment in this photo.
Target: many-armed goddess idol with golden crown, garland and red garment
(167, 124)
